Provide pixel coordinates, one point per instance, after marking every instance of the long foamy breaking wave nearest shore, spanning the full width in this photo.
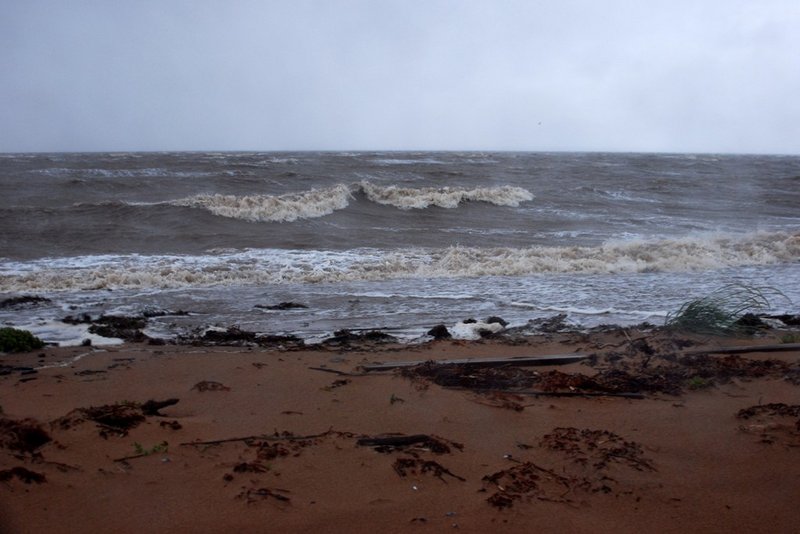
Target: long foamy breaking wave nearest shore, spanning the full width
(275, 266)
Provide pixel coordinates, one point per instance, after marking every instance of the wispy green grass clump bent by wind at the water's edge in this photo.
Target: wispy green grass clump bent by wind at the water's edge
(721, 312)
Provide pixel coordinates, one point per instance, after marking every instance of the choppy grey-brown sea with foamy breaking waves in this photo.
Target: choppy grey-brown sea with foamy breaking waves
(399, 241)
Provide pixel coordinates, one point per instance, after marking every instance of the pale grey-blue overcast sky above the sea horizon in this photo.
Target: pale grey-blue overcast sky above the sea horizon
(666, 76)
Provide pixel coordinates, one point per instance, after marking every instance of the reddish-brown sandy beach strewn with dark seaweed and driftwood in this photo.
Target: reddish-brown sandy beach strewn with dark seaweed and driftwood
(269, 439)
